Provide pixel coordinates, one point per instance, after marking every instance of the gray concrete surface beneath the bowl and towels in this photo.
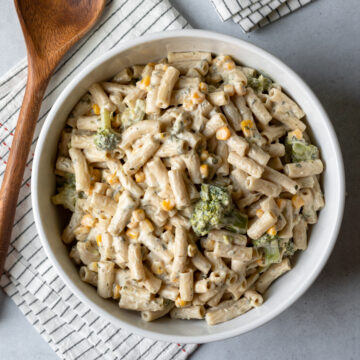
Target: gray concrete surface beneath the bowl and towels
(321, 42)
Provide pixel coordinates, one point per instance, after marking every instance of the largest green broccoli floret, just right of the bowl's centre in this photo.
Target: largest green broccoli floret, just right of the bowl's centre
(215, 210)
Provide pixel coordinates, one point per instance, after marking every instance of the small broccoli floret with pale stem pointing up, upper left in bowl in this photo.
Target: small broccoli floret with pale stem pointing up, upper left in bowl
(106, 138)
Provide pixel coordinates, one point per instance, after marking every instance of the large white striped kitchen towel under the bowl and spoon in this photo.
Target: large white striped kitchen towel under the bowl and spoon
(70, 327)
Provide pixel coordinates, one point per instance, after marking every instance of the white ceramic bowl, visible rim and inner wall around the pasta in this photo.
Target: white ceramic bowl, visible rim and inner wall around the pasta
(323, 235)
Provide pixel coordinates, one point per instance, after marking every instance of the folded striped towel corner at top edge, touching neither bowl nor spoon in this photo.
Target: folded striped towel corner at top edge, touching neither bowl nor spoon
(252, 14)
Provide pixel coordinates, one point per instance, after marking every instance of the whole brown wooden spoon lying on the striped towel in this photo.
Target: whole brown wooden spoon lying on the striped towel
(50, 28)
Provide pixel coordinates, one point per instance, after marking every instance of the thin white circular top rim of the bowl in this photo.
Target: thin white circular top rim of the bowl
(187, 33)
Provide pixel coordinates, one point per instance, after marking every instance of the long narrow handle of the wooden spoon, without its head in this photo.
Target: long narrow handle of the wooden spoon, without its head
(17, 159)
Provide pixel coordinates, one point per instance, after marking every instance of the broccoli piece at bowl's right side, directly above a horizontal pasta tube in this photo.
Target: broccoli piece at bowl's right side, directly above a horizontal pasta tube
(299, 150)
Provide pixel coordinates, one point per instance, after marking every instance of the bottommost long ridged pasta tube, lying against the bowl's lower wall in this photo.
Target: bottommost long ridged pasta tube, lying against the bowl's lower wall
(227, 311)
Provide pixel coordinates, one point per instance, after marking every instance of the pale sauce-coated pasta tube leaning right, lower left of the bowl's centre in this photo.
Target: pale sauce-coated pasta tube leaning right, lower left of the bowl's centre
(123, 212)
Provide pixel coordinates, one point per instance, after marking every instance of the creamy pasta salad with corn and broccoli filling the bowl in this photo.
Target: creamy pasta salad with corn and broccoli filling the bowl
(191, 182)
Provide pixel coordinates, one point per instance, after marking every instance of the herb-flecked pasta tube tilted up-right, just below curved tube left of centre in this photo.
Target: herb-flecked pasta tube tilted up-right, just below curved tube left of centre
(141, 155)
